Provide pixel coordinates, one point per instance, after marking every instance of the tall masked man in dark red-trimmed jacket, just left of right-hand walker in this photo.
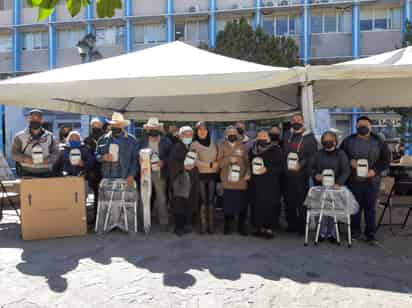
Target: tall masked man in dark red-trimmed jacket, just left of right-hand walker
(299, 147)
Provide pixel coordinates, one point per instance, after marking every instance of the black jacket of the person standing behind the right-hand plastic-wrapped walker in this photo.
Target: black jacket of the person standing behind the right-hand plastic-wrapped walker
(335, 160)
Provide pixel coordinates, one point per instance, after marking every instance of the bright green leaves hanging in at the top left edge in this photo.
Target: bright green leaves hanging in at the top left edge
(105, 8)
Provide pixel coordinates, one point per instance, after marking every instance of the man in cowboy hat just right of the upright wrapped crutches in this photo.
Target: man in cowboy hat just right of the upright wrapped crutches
(160, 147)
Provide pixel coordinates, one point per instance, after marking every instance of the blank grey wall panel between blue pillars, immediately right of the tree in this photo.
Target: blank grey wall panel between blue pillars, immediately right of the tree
(331, 45)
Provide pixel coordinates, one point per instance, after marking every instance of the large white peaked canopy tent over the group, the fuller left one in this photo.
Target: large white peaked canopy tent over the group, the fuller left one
(173, 81)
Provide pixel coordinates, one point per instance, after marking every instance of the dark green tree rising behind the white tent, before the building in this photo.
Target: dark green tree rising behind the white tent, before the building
(238, 40)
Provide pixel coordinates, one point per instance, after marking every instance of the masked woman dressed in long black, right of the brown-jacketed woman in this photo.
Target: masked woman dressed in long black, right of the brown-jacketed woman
(266, 160)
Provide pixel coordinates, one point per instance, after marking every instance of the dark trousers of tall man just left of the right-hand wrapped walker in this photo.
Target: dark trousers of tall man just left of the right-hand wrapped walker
(295, 189)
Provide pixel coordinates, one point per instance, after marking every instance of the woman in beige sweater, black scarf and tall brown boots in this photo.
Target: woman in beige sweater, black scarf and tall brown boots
(207, 165)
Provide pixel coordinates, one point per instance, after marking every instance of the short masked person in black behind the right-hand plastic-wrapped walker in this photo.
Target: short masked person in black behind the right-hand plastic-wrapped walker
(330, 158)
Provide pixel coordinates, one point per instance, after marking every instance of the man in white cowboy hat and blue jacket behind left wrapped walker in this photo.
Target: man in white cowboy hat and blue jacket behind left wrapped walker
(117, 151)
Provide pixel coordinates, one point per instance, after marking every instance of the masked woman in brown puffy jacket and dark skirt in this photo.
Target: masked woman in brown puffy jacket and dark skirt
(234, 174)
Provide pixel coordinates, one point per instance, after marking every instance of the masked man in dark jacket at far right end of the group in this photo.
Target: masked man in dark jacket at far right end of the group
(369, 156)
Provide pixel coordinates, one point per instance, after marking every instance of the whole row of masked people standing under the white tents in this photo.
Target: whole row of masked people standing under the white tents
(188, 167)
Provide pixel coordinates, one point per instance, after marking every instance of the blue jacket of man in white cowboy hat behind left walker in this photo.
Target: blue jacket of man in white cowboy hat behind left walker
(128, 156)
